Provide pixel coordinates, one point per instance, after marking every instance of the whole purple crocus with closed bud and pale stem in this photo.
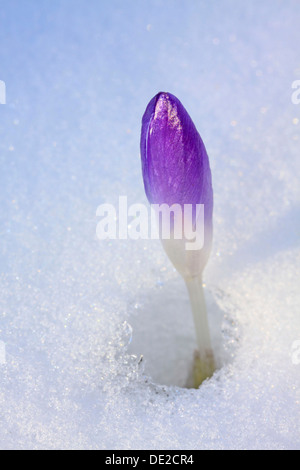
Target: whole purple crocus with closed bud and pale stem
(176, 171)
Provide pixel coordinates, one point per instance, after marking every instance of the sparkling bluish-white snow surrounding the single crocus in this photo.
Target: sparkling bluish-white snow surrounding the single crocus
(77, 313)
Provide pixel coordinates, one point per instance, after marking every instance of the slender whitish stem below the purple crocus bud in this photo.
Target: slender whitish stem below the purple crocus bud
(204, 363)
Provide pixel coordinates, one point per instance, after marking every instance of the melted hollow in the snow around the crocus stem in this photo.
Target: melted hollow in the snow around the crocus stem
(163, 333)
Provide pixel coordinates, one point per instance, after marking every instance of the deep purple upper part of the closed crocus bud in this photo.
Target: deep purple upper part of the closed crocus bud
(175, 164)
